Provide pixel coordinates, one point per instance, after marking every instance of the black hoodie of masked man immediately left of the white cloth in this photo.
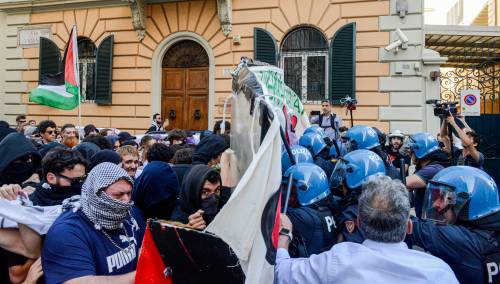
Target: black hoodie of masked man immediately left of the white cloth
(189, 200)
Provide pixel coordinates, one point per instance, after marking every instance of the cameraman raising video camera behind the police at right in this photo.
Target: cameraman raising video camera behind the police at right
(469, 156)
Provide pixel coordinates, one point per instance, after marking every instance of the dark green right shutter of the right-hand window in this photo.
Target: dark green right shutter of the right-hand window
(343, 64)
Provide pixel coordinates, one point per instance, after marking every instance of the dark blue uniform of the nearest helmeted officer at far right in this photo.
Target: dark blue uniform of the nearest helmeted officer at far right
(462, 248)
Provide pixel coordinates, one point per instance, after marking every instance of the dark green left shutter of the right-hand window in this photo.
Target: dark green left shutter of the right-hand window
(265, 48)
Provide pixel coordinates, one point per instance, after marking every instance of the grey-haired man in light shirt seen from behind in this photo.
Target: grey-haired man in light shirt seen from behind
(384, 212)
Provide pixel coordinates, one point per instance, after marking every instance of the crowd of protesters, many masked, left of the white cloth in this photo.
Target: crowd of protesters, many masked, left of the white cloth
(167, 176)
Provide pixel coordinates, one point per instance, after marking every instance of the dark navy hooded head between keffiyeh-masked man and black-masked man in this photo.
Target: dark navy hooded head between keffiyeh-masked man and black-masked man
(155, 190)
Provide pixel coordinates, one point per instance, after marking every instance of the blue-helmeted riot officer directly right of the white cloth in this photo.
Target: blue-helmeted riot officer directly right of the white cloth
(311, 210)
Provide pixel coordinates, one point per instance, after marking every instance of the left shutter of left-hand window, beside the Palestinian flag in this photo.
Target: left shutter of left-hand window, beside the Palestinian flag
(49, 59)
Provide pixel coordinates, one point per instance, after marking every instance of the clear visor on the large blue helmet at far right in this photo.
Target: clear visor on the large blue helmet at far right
(440, 204)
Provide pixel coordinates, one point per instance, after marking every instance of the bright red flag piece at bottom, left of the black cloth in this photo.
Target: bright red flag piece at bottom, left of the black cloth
(150, 268)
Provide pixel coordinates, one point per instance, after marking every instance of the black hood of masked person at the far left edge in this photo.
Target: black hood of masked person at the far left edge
(13, 147)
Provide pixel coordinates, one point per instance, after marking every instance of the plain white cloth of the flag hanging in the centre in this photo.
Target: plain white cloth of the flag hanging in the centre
(239, 221)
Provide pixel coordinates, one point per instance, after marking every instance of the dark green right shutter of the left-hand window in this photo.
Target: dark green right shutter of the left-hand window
(104, 71)
